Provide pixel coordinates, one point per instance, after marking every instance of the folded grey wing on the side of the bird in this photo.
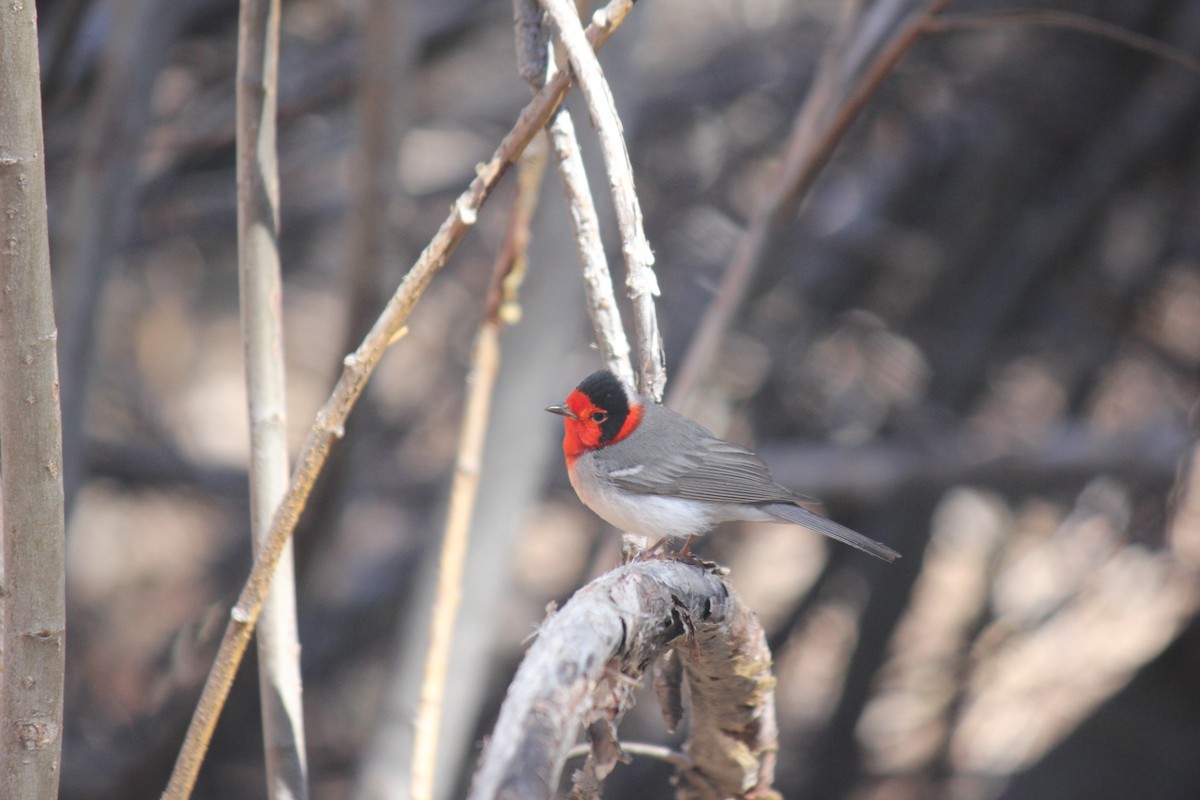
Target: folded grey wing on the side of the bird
(716, 471)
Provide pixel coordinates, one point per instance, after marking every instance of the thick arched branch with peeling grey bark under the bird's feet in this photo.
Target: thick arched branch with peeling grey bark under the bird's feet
(589, 658)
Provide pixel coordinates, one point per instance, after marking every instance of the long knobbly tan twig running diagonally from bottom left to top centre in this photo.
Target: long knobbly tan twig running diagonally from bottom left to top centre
(332, 417)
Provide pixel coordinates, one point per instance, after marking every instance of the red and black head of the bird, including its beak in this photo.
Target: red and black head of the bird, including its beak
(597, 414)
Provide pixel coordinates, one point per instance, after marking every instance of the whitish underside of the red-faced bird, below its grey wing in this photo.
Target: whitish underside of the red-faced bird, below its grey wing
(646, 514)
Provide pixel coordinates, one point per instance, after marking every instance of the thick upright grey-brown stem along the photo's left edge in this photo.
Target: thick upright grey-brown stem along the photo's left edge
(33, 593)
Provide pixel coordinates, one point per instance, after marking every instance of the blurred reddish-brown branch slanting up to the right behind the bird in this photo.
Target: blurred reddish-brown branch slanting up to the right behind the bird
(808, 152)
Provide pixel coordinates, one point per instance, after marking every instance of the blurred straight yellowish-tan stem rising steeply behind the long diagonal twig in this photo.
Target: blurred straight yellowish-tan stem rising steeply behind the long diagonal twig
(485, 359)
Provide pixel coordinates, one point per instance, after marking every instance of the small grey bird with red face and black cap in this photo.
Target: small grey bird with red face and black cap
(650, 471)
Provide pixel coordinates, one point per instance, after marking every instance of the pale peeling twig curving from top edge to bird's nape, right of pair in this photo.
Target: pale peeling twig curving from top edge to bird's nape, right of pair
(640, 281)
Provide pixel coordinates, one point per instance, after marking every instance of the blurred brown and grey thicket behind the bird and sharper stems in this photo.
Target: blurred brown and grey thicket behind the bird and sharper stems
(977, 342)
